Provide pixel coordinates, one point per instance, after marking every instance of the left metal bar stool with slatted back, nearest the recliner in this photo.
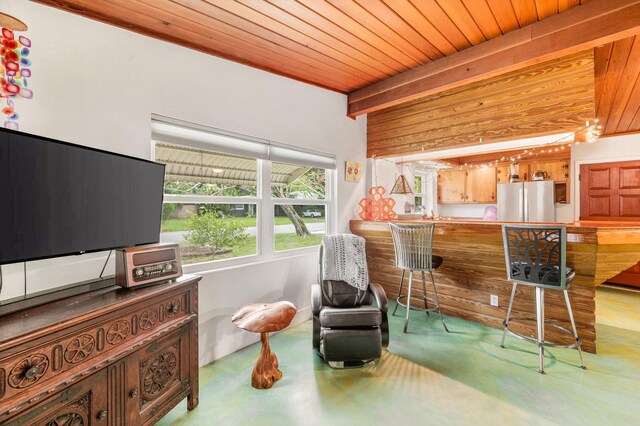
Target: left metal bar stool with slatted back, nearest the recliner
(412, 244)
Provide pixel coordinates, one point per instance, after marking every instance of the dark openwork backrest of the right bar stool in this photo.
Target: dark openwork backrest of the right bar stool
(536, 255)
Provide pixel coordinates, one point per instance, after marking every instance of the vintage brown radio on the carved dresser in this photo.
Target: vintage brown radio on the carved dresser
(142, 265)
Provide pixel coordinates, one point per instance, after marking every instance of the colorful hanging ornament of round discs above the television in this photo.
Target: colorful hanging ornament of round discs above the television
(14, 71)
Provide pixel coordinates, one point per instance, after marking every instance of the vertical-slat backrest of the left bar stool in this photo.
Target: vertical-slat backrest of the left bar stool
(412, 244)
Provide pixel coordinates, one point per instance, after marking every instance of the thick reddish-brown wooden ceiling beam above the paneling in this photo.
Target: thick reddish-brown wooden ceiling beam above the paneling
(589, 25)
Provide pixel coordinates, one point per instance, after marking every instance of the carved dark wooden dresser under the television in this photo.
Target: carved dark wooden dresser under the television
(108, 357)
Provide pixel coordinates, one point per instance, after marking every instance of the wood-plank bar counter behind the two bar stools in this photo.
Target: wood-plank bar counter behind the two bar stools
(474, 269)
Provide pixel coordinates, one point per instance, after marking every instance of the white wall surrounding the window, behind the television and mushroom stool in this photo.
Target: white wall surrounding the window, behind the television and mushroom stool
(98, 85)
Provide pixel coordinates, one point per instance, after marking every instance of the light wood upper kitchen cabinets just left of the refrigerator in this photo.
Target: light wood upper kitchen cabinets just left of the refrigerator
(476, 186)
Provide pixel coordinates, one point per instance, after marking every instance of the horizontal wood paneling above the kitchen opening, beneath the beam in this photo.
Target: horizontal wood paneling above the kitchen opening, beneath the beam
(553, 97)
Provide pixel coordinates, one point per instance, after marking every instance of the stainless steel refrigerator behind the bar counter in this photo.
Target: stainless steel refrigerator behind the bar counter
(526, 202)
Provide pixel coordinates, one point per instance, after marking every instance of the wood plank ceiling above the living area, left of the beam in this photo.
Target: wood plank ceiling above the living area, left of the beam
(342, 45)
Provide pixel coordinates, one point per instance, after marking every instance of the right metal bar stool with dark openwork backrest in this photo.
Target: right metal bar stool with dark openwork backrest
(536, 256)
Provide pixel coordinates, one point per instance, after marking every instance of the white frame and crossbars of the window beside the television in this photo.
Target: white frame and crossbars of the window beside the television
(265, 204)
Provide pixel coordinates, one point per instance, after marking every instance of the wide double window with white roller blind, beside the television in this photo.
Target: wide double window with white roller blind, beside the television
(232, 198)
